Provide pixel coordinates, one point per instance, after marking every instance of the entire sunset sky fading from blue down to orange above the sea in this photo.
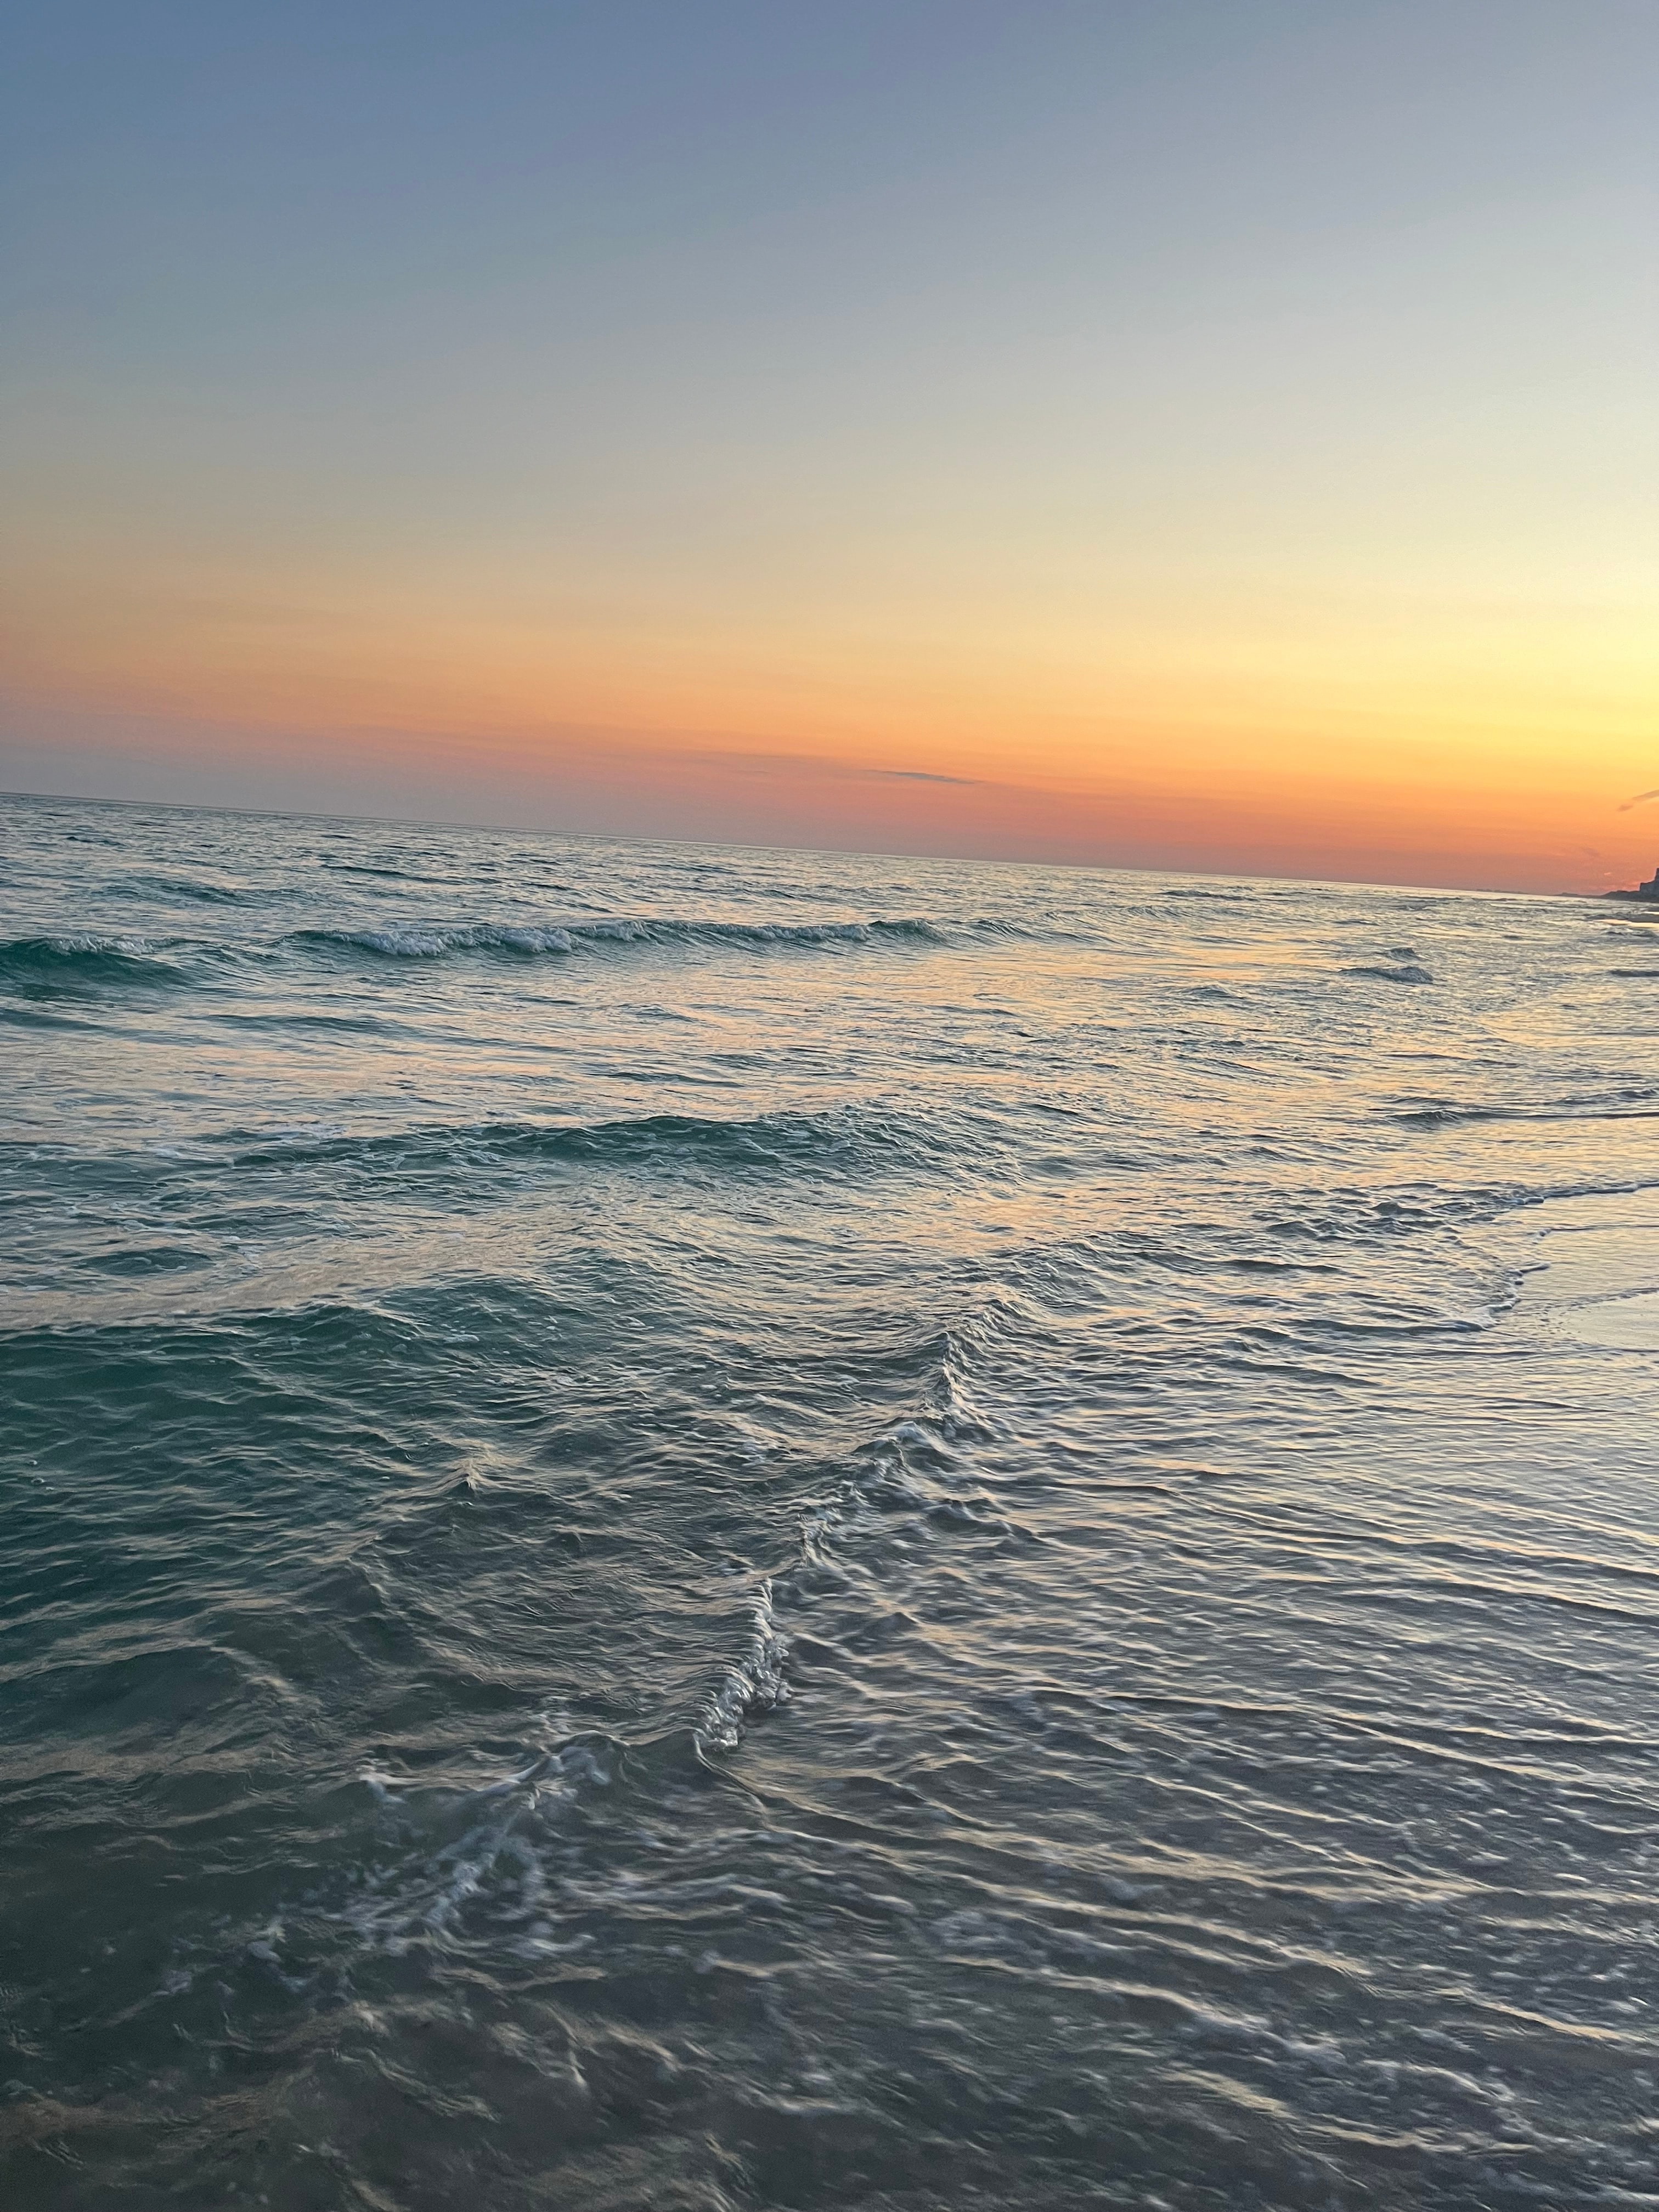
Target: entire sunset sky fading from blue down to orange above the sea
(1209, 435)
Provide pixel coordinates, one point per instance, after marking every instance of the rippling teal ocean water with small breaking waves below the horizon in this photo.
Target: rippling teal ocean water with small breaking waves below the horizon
(729, 1530)
